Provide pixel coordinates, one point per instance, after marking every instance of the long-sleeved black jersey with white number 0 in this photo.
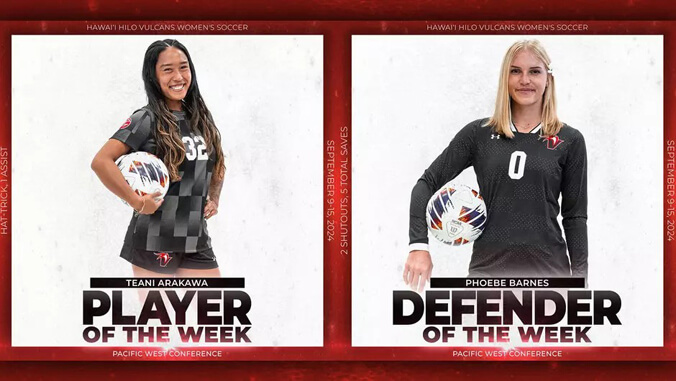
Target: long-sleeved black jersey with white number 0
(520, 180)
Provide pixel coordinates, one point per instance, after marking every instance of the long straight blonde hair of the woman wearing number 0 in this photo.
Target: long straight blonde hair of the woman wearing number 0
(502, 117)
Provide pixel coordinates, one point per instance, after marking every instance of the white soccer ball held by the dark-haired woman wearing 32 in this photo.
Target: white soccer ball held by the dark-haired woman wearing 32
(145, 173)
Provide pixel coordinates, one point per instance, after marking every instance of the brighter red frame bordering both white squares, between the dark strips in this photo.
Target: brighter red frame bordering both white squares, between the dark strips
(337, 268)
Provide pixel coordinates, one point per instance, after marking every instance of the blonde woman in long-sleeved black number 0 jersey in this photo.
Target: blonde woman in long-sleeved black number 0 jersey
(524, 158)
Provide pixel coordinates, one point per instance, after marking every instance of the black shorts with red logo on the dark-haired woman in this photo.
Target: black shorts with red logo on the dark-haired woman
(168, 263)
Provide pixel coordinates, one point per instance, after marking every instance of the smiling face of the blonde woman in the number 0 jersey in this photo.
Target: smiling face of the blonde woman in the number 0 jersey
(527, 80)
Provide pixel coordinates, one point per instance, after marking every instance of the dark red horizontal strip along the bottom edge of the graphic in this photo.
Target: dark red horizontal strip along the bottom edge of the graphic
(391, 370)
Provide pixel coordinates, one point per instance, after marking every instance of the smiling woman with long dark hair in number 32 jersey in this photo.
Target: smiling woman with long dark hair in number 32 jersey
(169, 236)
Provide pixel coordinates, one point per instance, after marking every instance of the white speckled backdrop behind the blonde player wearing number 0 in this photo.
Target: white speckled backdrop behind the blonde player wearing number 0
(413, 94)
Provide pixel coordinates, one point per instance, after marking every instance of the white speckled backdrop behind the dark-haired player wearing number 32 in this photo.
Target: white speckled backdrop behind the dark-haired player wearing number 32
(71, 93)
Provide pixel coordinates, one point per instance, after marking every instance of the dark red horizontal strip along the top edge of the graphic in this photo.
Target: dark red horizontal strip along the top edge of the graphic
(338, 10)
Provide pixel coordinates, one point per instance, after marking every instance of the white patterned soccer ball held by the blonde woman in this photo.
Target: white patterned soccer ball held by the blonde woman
(456, 214)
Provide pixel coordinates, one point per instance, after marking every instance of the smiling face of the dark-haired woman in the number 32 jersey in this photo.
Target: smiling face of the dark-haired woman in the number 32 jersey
(173, 75)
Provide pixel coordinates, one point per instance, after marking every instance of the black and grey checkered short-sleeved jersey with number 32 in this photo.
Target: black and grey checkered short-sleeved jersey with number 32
(179, 224)
